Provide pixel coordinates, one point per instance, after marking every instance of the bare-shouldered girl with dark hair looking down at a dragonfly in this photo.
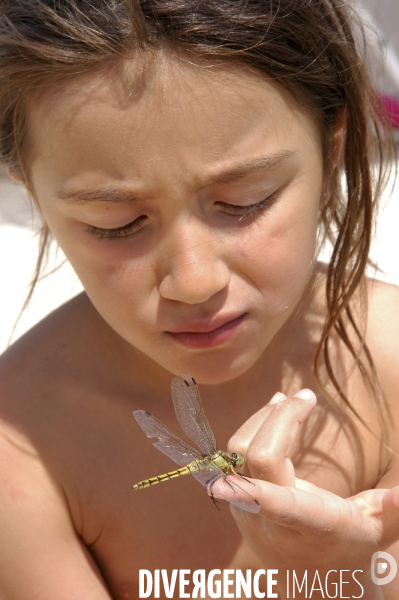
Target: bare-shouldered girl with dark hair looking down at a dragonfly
(190, 158)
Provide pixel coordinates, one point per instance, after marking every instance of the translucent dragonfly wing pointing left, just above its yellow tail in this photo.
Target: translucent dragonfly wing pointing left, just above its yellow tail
(168, 443)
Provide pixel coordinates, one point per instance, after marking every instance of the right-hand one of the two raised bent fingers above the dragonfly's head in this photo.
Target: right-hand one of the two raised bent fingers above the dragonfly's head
(267, 456)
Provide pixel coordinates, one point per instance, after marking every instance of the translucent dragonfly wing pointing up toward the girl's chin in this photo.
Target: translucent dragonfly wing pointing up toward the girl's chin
(190, 414)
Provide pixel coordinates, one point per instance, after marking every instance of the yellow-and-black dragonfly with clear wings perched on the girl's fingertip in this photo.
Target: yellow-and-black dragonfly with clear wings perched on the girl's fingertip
(208, 464)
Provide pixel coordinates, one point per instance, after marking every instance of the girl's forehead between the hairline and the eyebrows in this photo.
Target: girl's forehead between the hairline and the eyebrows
(187, 116)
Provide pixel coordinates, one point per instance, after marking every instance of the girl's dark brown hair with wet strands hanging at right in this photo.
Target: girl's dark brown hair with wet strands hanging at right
(308, 46)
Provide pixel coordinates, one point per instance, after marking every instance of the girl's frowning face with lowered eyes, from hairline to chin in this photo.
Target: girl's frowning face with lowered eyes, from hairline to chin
(187, 202)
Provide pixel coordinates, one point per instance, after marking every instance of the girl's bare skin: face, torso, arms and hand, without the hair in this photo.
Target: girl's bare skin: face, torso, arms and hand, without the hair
(187, 200)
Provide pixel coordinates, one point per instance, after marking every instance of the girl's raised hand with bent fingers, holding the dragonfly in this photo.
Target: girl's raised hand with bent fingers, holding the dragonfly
(301, 526)
